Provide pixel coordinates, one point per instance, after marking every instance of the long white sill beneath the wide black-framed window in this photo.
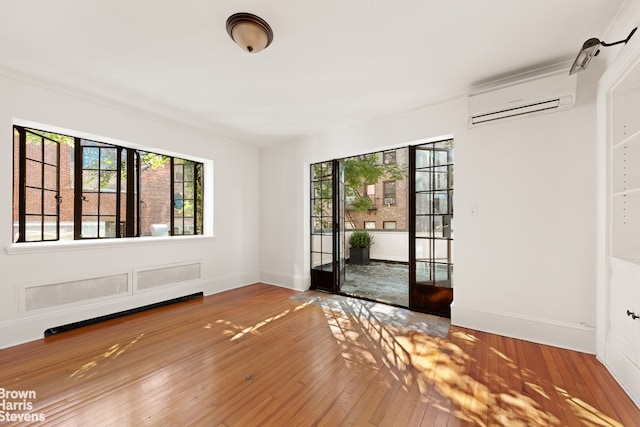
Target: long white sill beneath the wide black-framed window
(75, 245)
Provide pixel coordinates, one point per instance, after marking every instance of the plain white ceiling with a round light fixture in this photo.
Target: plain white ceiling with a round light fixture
(333, 63)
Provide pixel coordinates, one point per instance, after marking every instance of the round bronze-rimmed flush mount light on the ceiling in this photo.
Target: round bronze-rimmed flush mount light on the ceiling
(250, 32)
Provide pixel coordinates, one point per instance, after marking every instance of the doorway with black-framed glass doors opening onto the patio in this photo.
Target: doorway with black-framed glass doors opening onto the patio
(402, 199)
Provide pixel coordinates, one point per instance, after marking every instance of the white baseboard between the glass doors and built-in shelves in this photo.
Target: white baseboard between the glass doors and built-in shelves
(543, 331)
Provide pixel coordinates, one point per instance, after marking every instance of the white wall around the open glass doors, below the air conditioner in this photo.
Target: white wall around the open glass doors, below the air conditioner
(525, 264)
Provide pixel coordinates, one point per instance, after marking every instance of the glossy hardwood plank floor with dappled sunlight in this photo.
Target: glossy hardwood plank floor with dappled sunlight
(253, 356)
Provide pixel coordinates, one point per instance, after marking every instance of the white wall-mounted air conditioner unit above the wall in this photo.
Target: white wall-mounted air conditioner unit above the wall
(534, 95)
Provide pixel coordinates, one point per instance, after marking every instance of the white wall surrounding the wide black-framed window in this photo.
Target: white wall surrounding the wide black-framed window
(229, 259)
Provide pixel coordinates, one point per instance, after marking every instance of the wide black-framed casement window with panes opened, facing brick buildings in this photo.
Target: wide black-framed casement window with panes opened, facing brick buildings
(68, 188)
